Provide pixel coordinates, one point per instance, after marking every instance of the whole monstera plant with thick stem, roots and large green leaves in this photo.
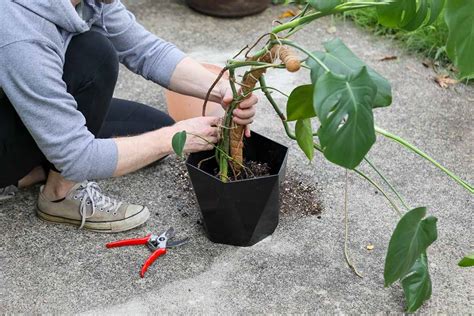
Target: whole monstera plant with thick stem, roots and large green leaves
(333, 113)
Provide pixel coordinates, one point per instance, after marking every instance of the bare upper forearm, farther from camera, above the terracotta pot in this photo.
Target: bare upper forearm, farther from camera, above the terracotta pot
(191, 78)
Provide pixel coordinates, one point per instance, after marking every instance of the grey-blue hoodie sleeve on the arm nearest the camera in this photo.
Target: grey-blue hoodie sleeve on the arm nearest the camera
(31, 76)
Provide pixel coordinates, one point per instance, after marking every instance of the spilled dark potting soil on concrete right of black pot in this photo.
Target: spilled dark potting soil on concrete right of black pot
(300, 198)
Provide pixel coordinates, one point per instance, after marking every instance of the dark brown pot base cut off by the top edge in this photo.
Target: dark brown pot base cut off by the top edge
(228, 8)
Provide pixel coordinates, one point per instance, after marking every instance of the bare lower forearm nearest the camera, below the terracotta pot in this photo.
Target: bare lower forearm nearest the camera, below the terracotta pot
(139, 151)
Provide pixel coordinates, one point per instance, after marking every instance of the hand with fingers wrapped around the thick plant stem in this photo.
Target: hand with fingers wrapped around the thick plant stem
(245, 112)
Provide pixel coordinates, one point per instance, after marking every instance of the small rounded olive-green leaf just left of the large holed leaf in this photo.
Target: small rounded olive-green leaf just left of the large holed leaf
(300, 103)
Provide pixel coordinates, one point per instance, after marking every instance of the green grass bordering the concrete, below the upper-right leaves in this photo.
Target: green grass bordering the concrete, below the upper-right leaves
(429, 41)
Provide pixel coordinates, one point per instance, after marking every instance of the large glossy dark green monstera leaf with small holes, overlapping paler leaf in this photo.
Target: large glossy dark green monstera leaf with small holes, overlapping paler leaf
(344, 108)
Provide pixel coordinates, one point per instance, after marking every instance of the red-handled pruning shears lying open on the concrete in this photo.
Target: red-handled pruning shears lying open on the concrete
(156, 243)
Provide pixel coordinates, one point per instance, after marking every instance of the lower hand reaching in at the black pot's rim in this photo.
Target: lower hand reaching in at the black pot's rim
(202, 133)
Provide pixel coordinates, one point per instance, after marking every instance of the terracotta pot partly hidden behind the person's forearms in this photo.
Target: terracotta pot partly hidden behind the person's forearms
(182, 107)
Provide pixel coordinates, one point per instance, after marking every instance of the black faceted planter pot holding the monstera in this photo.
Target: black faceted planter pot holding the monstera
(243, 212)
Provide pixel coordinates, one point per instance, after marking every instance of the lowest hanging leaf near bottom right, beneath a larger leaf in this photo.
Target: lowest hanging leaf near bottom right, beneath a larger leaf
(417, 284)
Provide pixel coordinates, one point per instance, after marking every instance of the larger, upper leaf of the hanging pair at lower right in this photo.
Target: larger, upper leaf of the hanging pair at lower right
(410, 239)
